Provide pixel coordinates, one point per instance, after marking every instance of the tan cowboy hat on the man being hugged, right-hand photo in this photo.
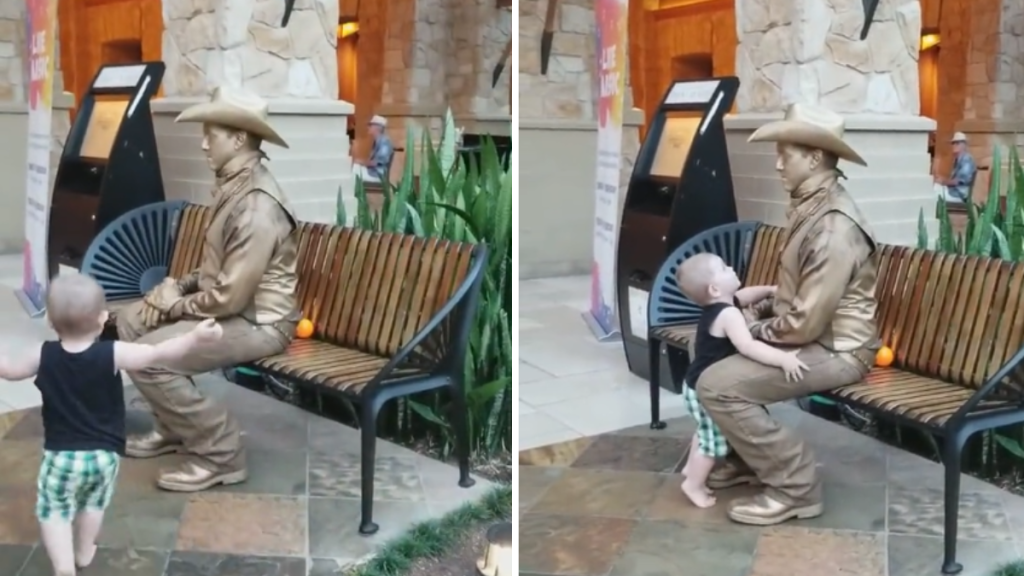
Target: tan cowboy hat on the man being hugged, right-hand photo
(810, 127)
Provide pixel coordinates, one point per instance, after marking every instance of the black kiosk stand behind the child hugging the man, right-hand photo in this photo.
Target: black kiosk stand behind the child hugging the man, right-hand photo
(681, 186)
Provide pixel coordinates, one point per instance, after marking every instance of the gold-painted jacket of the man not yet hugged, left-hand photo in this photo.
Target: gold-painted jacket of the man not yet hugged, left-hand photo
(249, 253)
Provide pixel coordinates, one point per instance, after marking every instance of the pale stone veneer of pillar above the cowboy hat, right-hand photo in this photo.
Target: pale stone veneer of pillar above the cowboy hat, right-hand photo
(809, 51)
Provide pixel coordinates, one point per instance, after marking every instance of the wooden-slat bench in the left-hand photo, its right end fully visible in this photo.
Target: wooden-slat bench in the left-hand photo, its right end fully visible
(393, 316)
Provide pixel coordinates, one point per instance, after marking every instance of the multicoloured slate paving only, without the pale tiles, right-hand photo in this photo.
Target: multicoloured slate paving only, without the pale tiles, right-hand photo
(611, 506)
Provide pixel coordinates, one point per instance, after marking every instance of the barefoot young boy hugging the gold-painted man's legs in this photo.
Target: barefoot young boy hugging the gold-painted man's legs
(722, 332)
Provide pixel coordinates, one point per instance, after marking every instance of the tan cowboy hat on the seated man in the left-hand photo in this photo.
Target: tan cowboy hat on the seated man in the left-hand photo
(235, 109)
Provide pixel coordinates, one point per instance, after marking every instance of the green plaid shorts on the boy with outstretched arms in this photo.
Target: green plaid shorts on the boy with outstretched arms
(72, 482)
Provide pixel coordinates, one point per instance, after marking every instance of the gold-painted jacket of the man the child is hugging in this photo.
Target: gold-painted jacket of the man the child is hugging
(828, 274)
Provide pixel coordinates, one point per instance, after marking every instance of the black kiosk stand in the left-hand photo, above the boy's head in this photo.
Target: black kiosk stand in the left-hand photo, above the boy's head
(110, 164)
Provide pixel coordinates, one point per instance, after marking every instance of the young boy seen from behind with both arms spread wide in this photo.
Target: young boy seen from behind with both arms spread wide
(84, 414)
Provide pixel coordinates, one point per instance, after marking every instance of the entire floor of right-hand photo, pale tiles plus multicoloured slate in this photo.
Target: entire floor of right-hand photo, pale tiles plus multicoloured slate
(601, 497)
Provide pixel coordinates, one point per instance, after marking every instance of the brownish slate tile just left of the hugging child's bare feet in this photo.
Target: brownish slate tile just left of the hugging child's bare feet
(607, 493)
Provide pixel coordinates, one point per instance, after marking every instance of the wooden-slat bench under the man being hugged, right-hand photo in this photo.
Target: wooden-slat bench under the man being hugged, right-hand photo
(956, 325)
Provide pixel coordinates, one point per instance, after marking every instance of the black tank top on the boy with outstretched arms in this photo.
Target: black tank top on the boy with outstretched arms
(83, 399)
